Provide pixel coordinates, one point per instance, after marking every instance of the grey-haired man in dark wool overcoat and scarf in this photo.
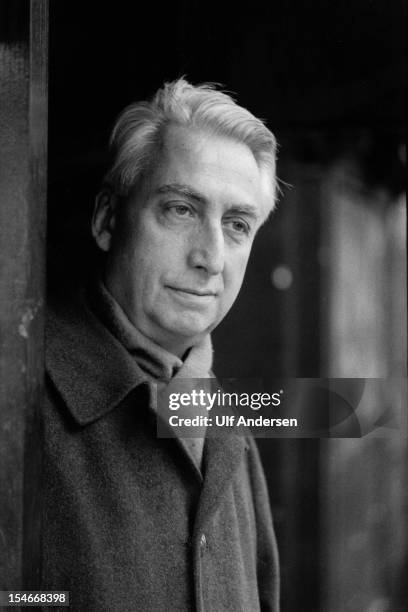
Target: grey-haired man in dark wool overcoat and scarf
(133, 521)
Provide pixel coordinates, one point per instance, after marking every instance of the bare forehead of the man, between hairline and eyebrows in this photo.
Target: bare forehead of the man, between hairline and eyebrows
(220, 168)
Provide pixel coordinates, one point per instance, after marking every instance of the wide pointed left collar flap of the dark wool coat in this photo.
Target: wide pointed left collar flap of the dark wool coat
(90, 368)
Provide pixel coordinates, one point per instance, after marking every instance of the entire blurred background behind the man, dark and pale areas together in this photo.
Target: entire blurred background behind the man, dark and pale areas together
(325, 291)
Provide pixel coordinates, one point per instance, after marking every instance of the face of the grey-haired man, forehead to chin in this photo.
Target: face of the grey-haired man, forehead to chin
(180, 245)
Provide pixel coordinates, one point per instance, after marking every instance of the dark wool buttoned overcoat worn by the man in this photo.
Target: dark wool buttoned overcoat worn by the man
(129, 521)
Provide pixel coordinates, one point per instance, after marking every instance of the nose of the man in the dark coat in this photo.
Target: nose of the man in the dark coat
(207, 249)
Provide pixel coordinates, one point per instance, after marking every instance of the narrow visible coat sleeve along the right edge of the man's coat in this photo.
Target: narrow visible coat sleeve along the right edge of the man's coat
(267, 550)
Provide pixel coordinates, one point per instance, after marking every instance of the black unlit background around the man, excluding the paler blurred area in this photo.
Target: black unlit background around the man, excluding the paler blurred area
(328, 77)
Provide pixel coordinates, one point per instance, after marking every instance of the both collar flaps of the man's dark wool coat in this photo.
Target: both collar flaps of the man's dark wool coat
(93, 373)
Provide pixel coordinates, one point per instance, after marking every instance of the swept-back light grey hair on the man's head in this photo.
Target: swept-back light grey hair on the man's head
(138, 132)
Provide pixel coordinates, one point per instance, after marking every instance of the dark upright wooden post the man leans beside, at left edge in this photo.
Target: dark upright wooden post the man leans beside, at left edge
(23, 149)
